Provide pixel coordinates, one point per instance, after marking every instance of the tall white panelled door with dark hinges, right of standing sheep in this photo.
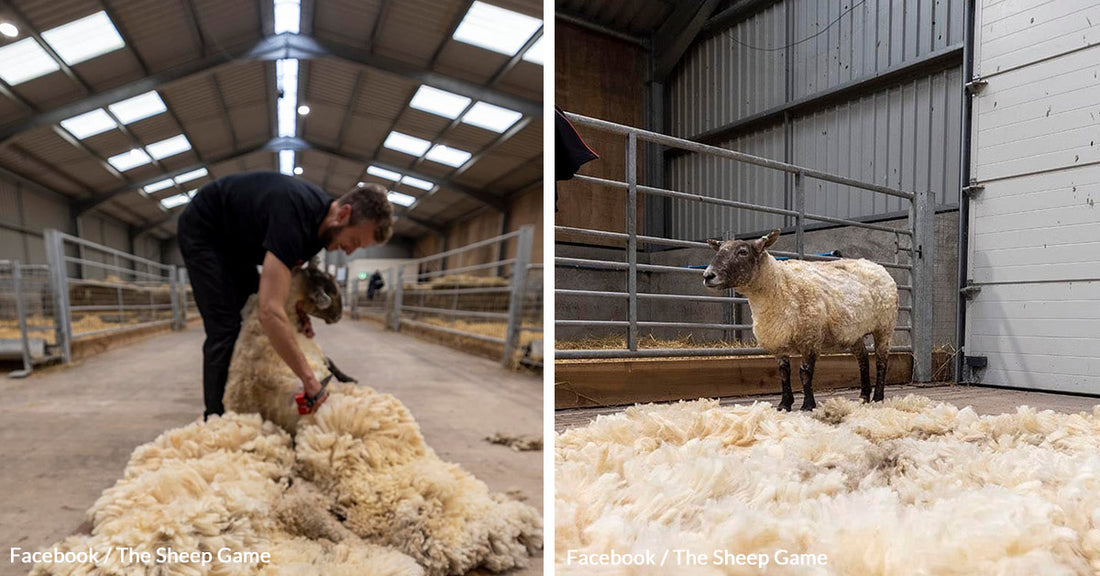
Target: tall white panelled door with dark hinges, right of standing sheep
(1033, 258)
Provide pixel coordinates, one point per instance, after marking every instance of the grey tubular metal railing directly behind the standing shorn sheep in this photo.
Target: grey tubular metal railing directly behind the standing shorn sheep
(918, 265)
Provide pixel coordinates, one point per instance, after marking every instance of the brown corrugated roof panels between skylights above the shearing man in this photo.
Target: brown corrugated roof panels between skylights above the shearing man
(230, 108)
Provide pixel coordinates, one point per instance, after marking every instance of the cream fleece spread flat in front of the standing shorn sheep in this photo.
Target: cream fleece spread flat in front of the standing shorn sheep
(908, 488)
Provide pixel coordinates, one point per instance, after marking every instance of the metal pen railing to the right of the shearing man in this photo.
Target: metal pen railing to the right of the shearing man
(434, 294)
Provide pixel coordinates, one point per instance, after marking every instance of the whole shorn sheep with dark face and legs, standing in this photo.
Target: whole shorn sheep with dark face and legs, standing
(810, 307)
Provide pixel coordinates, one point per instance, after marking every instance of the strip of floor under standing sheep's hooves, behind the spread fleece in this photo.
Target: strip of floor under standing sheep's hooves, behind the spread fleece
(984, 401)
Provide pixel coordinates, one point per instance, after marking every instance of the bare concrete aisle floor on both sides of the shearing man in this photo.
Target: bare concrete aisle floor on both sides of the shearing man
(68, 433)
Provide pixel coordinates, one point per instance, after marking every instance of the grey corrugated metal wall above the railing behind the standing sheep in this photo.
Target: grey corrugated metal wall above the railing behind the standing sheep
(906, 136)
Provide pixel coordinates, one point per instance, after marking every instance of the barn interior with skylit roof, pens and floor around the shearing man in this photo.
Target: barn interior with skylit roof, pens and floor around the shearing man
(115, 113)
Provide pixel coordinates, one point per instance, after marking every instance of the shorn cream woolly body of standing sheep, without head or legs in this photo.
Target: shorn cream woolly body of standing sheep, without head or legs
(812, 307)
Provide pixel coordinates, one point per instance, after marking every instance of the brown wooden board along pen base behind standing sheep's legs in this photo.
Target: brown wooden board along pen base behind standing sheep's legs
(626, 382)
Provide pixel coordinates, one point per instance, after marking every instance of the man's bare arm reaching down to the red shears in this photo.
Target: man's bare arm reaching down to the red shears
(274, 289)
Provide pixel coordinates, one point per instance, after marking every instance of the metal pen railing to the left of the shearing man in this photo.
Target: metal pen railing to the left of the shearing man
(102, 291)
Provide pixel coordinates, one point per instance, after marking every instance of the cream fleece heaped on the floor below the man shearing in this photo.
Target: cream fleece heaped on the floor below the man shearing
(357, 492)
